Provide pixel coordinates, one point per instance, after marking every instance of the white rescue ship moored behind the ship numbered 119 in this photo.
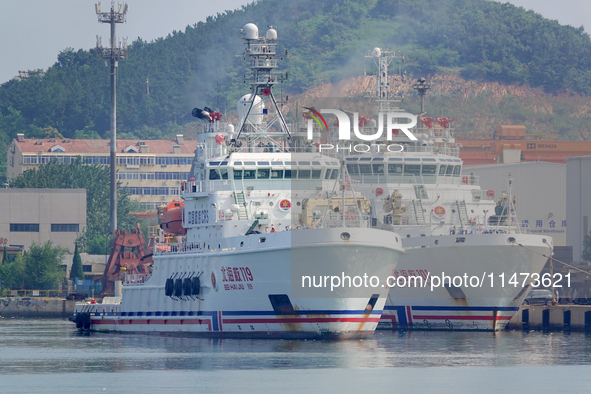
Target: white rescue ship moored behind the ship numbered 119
(451, 228)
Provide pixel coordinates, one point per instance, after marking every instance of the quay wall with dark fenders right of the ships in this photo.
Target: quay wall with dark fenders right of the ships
(552, 318)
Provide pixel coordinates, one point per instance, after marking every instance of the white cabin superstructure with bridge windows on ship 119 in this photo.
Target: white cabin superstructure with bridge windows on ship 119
(245, 193)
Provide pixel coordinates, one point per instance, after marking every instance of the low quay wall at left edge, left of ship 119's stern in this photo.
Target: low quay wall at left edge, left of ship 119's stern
(36, 307)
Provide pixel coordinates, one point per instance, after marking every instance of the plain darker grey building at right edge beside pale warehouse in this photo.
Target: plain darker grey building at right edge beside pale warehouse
(578, 202)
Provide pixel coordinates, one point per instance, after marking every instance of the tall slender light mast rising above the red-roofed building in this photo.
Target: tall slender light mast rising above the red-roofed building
(114, 53)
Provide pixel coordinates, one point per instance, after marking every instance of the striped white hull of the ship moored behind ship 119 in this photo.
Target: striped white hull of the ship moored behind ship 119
(490, 257)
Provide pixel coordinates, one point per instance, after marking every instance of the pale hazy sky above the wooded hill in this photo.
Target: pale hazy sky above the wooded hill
(33, 32)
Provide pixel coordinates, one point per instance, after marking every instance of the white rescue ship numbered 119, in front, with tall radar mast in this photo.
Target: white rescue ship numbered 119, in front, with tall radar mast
(240, 270)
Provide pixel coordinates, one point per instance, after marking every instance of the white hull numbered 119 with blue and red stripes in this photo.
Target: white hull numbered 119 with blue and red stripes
(250, 289)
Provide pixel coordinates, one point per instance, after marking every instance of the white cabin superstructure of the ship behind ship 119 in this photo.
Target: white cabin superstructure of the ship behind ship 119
(428, 192)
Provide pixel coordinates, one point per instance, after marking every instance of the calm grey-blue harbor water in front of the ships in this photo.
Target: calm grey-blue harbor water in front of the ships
(50, 356)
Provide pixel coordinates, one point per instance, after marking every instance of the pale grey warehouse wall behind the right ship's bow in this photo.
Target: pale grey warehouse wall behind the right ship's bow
(540, 191)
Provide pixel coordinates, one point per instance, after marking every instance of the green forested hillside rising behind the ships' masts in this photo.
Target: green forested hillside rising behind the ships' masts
(481, 40)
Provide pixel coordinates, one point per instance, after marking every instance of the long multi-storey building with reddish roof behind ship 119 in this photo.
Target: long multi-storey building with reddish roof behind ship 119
(150, 170)
